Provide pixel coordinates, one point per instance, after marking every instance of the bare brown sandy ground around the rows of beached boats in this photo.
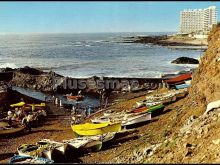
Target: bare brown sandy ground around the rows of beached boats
(57, 127)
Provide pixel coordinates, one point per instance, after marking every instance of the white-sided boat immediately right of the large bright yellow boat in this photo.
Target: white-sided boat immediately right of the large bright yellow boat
(137, 119)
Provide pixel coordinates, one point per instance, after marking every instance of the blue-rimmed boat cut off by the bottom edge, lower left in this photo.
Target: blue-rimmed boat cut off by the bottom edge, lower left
(17, 159)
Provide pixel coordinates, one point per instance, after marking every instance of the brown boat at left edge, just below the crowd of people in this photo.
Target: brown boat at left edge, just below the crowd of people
(5, 129)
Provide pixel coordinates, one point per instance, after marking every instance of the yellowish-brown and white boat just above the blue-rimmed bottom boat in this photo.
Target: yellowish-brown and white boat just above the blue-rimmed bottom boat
(29, 150)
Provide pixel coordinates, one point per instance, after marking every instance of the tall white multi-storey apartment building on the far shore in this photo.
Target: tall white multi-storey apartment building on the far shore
(198, 20)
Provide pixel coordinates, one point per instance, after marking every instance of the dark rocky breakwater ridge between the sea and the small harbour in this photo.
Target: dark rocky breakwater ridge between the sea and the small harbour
(51, 82)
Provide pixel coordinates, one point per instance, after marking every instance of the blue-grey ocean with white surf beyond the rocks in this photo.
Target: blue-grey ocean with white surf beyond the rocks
(86, 55)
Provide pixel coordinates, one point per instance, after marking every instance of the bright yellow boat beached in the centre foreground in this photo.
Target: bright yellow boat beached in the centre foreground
(90, 129)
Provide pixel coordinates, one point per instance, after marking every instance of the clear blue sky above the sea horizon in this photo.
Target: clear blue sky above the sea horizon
(94, 16)
